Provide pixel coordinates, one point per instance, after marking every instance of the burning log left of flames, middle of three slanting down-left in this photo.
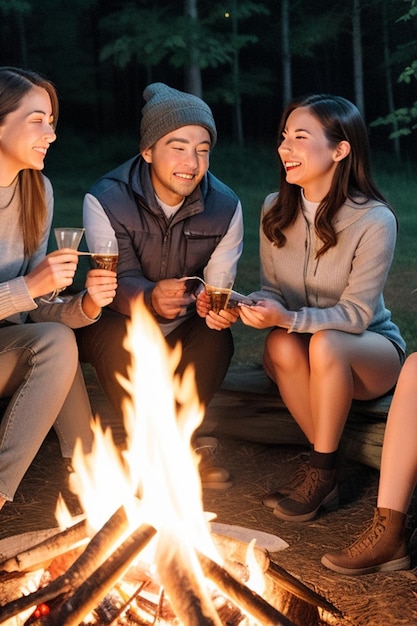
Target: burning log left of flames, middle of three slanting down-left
(93, 556)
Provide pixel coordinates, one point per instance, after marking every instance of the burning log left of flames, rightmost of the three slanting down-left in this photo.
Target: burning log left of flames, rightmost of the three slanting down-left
(94, 588)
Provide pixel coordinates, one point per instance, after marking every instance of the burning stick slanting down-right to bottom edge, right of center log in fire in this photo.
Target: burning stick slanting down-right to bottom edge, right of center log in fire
(237, 592)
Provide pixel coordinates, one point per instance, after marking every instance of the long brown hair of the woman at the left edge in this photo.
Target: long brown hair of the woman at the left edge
(15, 83)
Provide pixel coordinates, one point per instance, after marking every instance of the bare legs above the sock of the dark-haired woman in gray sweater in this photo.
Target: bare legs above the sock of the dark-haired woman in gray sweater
(319, 375)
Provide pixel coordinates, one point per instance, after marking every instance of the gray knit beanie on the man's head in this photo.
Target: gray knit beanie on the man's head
(167, 109)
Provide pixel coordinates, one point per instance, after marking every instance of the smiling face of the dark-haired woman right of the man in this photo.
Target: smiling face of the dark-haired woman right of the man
(305, 152)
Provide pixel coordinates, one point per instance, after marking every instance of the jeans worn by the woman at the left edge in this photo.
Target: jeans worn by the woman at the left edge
(40, 373)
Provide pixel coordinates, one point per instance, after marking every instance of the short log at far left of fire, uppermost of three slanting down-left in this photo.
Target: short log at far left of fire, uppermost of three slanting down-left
(44, 552)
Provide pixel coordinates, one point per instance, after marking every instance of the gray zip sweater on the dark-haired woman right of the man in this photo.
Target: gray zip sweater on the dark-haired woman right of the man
(343, 288)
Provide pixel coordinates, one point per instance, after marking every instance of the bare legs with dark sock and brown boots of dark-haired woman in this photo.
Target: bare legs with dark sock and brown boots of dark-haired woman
(318, 389)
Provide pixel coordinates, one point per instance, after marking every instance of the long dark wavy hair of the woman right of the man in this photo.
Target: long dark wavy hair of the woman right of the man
(341, 121)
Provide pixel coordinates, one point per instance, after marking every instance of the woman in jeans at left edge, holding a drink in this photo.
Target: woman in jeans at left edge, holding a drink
(39, 372)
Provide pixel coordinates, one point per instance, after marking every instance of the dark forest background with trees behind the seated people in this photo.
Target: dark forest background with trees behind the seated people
(247, 59)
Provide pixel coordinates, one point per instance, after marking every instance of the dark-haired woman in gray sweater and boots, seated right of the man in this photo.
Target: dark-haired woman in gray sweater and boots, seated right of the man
(327, 243)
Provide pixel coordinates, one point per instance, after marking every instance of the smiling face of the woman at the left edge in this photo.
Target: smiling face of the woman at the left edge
(25, 135)
